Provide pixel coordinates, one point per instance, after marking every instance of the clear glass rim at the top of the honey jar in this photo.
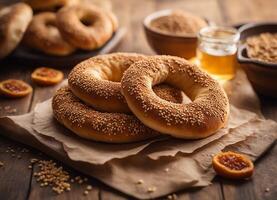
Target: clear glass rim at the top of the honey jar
(219, 34)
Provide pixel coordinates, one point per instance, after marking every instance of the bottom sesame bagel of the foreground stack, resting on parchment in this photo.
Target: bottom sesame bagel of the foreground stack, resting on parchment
(94, 125)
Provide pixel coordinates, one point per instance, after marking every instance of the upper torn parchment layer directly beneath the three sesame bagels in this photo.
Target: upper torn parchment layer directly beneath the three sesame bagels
(98, 153)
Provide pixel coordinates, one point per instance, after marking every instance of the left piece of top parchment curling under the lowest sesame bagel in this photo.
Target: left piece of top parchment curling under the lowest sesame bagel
(78, 148)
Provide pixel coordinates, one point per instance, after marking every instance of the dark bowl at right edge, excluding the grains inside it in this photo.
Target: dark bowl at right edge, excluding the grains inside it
(262, 75)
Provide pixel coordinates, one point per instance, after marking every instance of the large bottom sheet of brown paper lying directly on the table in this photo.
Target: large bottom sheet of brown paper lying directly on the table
(167, 174)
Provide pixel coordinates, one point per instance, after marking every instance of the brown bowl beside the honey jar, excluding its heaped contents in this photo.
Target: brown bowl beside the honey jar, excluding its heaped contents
(167, 44)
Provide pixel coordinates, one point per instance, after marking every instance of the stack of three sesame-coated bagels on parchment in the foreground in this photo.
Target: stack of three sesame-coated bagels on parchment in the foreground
(127, 97)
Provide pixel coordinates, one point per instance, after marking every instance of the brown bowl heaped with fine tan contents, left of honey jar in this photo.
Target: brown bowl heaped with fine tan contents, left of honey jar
(173, 32)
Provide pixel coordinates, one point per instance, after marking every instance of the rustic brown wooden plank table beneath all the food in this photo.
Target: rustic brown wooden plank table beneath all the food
(18, 182)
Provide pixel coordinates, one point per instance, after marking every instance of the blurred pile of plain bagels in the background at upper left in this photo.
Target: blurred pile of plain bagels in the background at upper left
(59, 27)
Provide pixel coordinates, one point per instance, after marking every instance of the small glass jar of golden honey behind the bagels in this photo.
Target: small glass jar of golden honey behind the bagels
(216, 52)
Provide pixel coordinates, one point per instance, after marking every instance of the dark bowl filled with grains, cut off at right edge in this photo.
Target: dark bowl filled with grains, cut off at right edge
(257, 54)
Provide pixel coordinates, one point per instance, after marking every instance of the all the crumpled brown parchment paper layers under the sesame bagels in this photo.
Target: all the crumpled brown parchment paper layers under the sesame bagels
(166, 164)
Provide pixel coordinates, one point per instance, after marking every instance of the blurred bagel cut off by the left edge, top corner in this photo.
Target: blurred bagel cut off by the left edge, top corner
(14, 21)
